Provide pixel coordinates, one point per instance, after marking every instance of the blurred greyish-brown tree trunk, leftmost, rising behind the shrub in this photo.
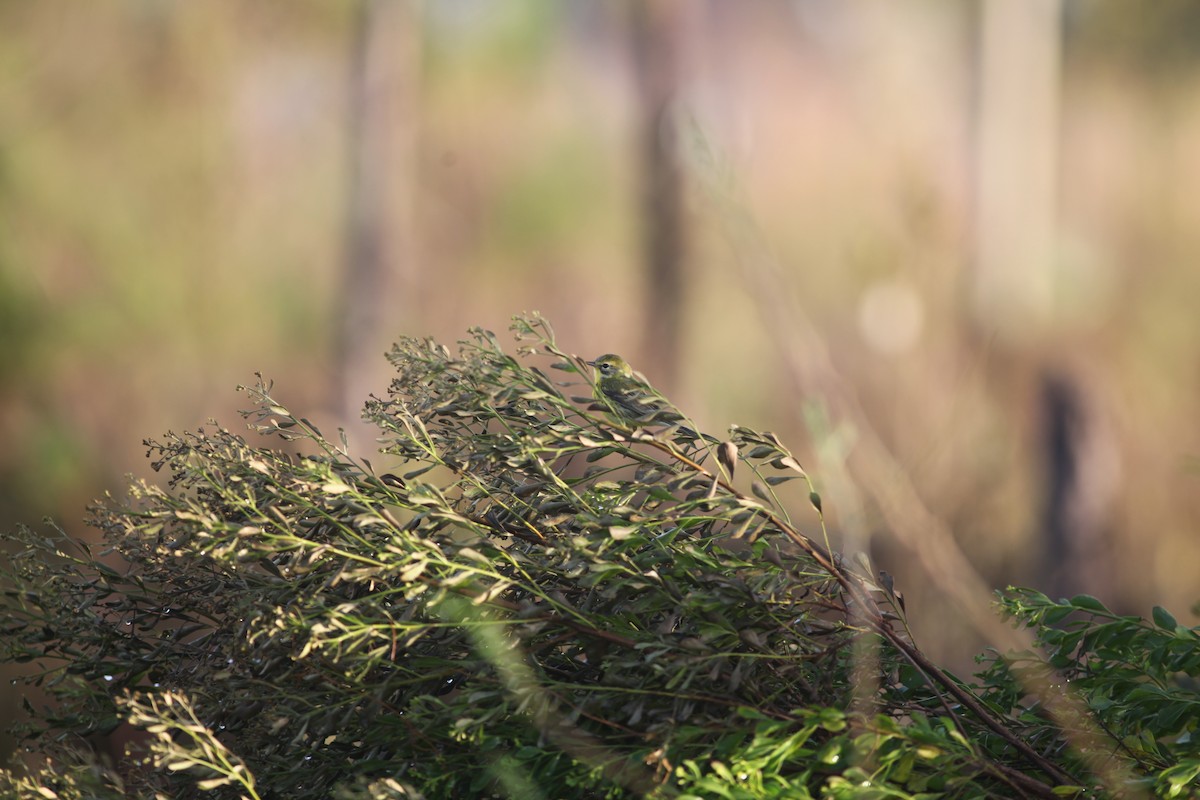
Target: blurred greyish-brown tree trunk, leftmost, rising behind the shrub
(382, 123)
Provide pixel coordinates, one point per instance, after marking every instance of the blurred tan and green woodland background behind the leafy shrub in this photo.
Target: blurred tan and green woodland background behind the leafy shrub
(949, 251)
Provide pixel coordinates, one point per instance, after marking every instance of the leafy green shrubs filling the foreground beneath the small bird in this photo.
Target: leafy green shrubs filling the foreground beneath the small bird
(544, 603)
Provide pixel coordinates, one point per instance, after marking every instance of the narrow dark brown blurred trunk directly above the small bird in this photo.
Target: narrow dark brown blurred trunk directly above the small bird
(657, 35)
